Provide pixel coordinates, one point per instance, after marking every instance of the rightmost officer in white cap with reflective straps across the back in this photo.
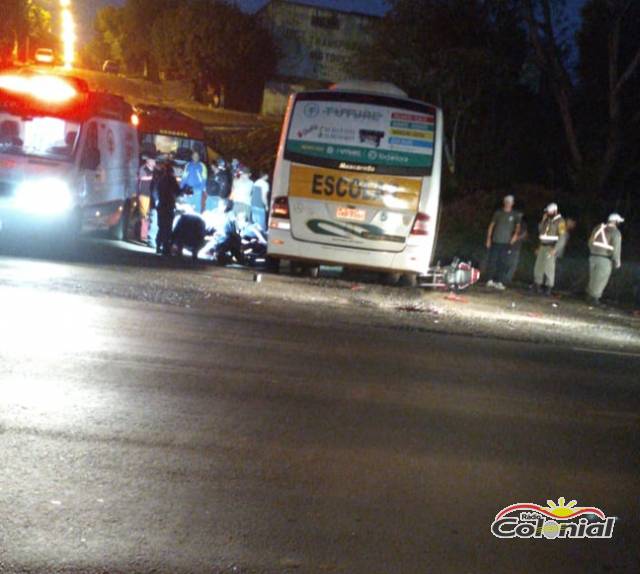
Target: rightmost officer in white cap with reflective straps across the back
(605, 247)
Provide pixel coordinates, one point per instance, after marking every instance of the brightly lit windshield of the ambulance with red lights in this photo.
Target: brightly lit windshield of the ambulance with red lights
(45, 137)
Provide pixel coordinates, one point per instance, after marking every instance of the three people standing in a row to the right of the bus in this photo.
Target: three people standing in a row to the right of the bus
(507, 232)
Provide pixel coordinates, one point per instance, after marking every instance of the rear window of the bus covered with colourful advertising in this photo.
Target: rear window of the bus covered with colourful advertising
(362, 133)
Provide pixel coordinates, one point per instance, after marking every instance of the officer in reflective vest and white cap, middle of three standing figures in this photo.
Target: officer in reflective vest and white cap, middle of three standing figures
(553, 237)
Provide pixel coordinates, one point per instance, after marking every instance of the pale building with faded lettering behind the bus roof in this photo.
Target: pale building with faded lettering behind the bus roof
(316, 45)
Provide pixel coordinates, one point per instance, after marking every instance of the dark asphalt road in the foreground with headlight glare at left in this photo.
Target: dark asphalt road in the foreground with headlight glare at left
(153, 438)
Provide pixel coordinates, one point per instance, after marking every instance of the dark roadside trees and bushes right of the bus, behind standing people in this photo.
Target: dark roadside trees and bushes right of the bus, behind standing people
(531, 101)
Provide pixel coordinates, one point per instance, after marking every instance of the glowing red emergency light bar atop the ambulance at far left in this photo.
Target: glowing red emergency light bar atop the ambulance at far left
(45, 89)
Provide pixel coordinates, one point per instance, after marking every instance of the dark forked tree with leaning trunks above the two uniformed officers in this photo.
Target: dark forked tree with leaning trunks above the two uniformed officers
(610, 57)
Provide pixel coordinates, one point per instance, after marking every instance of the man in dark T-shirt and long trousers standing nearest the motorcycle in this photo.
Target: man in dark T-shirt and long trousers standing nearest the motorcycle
(503, 232)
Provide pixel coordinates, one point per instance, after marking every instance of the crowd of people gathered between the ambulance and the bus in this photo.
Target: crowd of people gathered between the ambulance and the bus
(226, 193)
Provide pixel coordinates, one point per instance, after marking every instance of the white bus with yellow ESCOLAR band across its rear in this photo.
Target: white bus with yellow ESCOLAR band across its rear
(357, 180)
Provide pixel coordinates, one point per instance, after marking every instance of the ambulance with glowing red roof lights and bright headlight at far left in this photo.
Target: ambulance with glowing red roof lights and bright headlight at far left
(68, 156)
